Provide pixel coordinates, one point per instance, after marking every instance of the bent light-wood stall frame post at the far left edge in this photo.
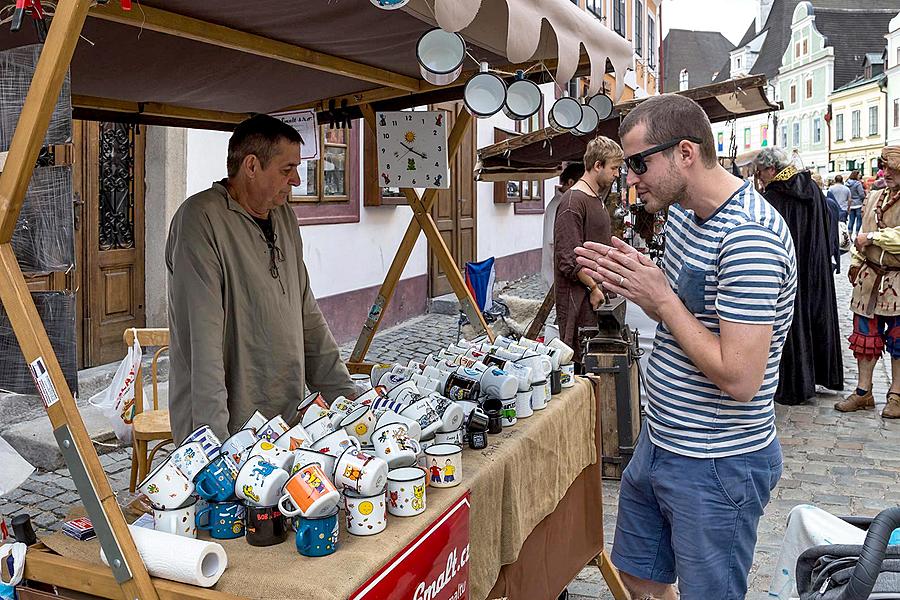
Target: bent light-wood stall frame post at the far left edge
(94, 488)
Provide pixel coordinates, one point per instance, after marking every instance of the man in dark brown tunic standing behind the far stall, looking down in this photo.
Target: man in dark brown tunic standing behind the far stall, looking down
(582, 216)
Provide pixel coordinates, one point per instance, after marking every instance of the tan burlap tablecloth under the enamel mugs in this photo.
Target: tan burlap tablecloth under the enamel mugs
(514, 483)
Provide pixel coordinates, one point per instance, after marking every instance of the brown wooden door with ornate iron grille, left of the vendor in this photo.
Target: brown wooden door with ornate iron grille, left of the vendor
(111, 227)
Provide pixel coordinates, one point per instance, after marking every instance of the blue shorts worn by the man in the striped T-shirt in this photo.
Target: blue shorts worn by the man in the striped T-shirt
(693, 519)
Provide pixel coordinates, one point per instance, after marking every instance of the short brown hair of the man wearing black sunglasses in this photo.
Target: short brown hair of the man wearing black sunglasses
(671, 117)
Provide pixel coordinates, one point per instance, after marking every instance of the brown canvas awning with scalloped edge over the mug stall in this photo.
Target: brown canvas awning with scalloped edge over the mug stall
(211, 63)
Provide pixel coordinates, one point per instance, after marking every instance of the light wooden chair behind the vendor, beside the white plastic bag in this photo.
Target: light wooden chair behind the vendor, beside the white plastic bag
(152, 425)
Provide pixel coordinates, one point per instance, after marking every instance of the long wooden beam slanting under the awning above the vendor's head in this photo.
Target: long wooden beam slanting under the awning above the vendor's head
(169, 23)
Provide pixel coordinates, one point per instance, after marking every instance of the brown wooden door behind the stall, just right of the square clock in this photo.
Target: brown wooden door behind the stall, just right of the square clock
(455, 211)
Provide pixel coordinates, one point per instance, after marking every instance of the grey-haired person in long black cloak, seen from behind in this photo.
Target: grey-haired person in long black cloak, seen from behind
(812, 352)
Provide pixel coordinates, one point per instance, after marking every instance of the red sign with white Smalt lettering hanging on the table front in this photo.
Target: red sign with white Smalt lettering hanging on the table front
(434, 566)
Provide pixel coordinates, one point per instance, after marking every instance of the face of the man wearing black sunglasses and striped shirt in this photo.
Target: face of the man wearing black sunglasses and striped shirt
(662, 184)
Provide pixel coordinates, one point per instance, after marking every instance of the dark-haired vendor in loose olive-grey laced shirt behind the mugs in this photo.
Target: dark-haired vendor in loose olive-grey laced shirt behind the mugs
(246, 333)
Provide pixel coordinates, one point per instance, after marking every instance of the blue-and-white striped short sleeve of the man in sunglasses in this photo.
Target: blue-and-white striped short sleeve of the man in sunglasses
(753, 268)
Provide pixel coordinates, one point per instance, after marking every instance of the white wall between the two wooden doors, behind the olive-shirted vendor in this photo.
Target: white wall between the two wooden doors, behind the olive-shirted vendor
(341, 257)
